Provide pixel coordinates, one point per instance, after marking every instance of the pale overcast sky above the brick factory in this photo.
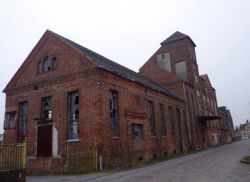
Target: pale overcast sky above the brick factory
(129, 32)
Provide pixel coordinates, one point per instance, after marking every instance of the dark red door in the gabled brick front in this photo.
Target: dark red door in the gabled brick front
(44, 140)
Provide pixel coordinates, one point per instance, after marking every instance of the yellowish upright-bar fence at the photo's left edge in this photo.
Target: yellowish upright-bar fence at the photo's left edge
(13, 156)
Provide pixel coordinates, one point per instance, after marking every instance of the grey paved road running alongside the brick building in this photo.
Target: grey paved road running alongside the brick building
(220, 164)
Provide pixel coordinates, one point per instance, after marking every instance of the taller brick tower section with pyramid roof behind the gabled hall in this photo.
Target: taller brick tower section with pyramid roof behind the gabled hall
(174, 65)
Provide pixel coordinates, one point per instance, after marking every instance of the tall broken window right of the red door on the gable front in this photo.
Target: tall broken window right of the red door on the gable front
(74, 115)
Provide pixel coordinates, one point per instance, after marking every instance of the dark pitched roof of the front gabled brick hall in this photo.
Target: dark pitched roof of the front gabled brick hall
(117, 69)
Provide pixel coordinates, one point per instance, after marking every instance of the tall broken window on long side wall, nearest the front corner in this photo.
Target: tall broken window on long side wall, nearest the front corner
(113, 99)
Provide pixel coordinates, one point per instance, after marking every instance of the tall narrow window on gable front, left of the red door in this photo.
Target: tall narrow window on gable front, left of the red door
(23, 116)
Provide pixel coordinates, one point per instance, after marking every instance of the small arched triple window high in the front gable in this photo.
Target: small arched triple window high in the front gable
(47, 64)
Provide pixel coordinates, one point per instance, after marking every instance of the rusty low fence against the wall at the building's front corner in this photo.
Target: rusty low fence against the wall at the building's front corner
(82, 157)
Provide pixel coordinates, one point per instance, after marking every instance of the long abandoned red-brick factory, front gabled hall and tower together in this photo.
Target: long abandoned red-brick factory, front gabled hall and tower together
(65, 96)
